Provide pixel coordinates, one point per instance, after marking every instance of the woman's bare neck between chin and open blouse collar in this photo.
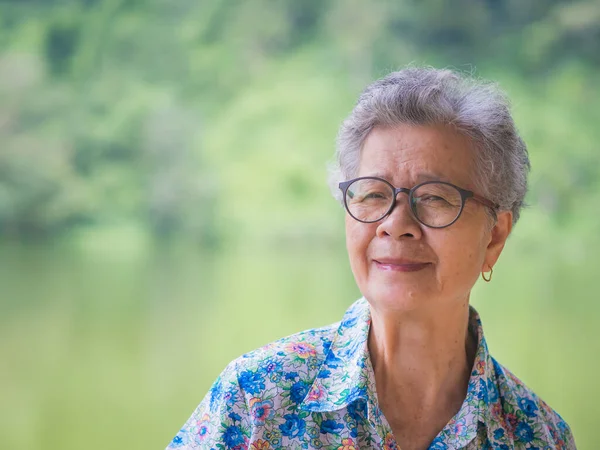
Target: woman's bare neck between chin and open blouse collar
(422, 359)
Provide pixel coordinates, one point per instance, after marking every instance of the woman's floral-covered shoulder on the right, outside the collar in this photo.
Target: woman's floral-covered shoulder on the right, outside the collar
(529, 418)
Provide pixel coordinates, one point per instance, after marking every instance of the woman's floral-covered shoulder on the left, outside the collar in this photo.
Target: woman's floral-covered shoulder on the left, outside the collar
(254, 389)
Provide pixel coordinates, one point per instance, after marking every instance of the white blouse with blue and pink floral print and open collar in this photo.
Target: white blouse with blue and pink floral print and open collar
(316, 390)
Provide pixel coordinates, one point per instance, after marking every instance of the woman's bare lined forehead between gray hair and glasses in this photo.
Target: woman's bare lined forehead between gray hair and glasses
(410, 154)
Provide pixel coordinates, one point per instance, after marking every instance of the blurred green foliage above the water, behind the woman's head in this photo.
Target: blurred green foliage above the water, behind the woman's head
(160, 114)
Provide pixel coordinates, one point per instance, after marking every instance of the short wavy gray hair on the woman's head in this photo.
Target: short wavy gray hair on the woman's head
(428, 96)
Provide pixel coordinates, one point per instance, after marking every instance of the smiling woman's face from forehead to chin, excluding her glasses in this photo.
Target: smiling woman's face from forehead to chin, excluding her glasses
(401, 264)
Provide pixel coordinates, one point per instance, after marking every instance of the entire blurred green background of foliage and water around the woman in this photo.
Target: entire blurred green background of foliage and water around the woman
(164, 206)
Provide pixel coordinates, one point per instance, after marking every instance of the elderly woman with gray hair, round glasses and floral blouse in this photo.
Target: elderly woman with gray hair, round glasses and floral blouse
(432, 174)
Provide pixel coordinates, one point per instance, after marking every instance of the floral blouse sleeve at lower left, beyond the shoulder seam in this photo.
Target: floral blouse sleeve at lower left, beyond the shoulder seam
(221, 420)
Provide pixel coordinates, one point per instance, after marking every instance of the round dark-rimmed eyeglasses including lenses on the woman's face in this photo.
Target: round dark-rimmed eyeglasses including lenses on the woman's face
(435, 204)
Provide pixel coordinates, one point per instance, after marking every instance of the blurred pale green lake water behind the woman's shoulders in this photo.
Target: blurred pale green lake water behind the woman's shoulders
(113, 345)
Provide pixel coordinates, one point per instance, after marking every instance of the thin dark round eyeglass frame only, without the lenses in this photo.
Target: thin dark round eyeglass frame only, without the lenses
(464, 195)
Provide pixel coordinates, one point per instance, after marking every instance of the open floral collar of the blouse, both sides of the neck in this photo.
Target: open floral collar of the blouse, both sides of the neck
(344, 376)
